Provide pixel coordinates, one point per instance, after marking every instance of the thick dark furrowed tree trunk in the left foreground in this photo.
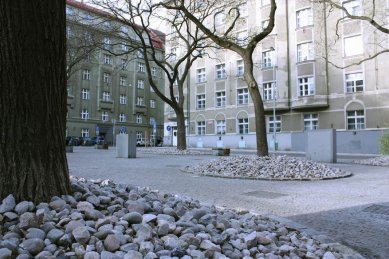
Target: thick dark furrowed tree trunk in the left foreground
(33, 163)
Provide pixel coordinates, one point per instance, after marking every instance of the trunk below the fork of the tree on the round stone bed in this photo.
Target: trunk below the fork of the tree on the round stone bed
(260, 122)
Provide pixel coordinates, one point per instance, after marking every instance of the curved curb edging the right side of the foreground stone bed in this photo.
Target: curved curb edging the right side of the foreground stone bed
(346, 251)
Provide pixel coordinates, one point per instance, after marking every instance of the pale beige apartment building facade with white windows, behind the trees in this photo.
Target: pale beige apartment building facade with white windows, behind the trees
(301, 88)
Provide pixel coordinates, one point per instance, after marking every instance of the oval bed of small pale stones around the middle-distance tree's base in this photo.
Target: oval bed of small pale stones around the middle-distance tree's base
(269, 167)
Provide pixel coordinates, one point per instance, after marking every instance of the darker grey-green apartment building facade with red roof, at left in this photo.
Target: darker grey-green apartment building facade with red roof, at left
(109, 93)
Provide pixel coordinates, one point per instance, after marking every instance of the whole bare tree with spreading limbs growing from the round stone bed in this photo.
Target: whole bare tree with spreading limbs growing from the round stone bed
(201, 13)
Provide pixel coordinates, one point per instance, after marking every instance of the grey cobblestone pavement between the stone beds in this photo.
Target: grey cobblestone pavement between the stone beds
(353, 211)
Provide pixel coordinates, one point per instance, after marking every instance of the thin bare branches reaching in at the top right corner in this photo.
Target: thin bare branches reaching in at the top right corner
(371, 14)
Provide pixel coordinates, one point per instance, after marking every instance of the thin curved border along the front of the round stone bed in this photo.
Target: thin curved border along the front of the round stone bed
(269, 179)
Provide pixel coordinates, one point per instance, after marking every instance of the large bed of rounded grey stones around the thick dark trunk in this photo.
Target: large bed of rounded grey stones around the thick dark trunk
(105, 220)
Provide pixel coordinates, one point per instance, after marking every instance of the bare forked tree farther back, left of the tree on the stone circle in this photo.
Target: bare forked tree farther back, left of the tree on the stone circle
(176, 67)
